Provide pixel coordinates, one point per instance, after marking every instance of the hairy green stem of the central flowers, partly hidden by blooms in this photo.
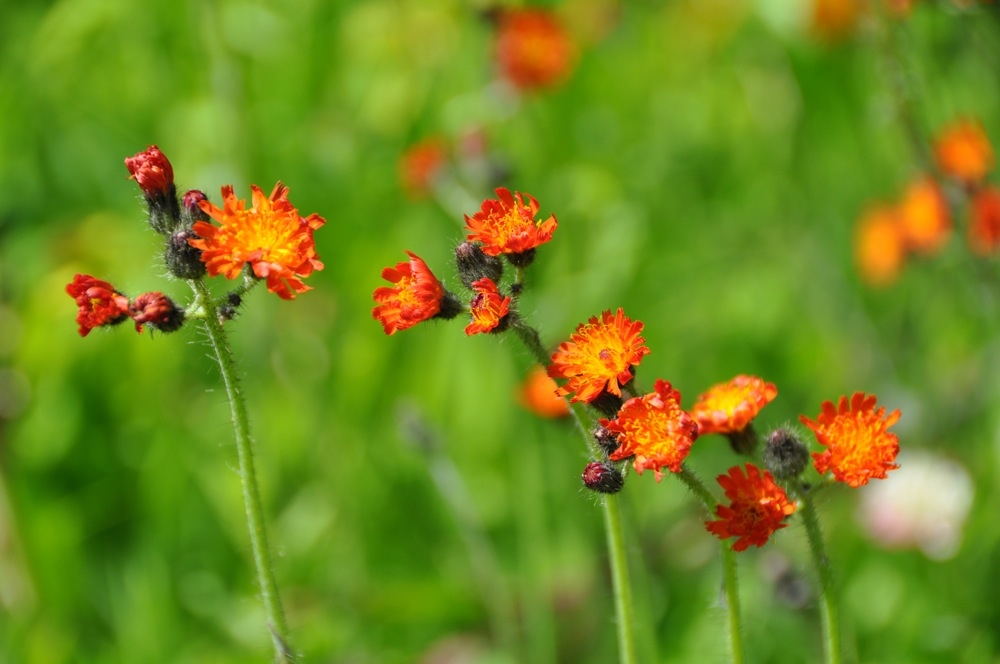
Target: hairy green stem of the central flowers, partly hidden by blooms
(618, 560)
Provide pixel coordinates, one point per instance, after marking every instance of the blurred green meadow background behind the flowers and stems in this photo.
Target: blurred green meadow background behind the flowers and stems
(706, 161)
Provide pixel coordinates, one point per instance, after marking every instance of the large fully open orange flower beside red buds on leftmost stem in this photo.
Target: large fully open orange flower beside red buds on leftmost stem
(271, 237)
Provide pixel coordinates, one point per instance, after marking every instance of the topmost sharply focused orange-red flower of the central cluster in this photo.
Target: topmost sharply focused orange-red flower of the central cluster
(507, 226)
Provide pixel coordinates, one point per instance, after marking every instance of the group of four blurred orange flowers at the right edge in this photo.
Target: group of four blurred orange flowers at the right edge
(921, 221)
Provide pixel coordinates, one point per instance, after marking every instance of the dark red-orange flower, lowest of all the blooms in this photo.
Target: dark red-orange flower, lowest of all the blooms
(757, 507)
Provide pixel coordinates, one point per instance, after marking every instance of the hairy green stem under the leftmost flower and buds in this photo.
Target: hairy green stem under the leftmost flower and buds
(248, 477)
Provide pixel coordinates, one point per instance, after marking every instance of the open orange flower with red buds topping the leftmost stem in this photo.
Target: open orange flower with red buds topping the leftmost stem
(268, 242)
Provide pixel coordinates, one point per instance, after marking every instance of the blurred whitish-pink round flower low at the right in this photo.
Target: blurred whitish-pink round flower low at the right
(923, 504)
